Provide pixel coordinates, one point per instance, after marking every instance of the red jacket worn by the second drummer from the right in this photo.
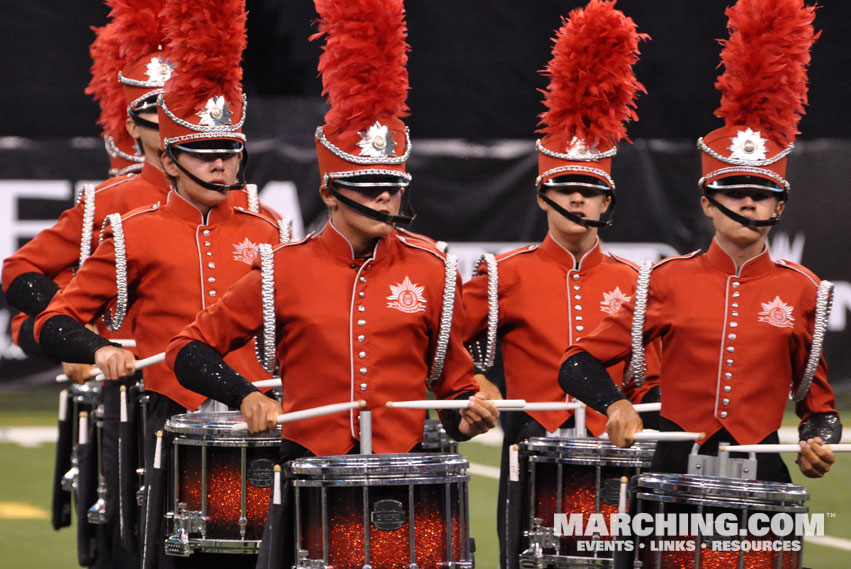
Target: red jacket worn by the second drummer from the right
(547, 301)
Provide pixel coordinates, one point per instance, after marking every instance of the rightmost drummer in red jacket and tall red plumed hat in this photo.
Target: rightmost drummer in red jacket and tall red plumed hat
(738, 329)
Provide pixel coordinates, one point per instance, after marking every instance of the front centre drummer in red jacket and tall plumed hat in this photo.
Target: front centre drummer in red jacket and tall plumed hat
(371, 312)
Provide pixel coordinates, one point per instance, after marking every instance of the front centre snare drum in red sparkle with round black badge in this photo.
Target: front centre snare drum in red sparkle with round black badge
(382, 511)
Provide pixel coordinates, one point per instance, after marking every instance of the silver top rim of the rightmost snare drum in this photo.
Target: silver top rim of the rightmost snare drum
(697, 486)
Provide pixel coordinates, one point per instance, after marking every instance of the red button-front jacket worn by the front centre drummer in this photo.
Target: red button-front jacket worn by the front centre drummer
(348, 329)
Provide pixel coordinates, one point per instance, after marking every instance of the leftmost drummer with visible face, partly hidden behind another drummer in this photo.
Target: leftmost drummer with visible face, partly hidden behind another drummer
(33, 274)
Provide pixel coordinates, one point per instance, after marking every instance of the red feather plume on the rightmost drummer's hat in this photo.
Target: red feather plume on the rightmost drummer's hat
(764, 84)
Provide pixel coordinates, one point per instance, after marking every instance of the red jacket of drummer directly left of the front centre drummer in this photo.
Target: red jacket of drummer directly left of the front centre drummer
(177, 265)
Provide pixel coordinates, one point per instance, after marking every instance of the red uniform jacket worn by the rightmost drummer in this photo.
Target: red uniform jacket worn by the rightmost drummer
(733, 344)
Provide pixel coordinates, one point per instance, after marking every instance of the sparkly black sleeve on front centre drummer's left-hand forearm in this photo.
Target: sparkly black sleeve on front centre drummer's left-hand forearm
(200, 368)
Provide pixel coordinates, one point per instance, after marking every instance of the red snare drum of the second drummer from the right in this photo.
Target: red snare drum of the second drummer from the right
(572, 476)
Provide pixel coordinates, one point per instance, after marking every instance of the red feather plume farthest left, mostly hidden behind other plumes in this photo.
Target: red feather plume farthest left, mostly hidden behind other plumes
(104, 86)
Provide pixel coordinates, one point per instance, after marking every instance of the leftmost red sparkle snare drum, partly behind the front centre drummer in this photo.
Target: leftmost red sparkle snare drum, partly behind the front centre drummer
(220, 485)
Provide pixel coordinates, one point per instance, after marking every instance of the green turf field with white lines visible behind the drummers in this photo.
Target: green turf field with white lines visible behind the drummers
(28, 542)
